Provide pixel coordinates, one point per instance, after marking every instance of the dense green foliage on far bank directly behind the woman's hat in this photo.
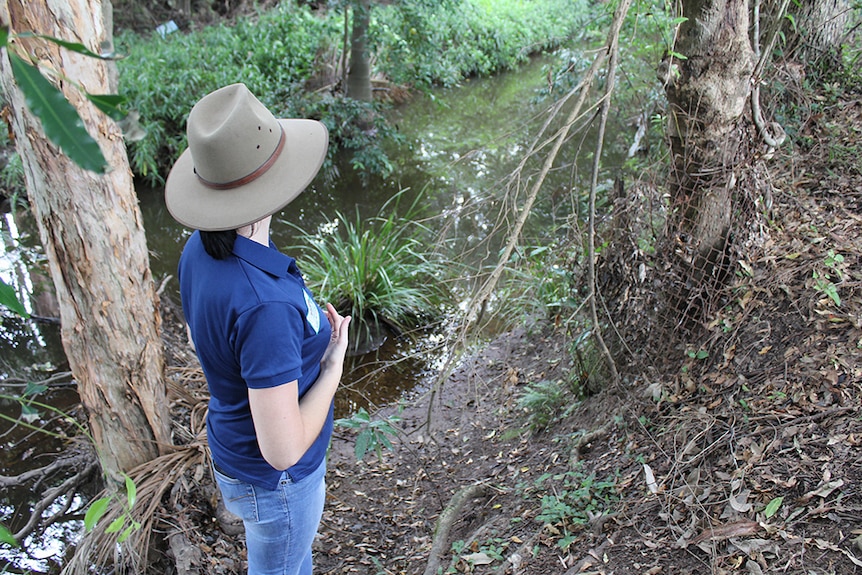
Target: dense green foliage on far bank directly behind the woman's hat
(274, 53)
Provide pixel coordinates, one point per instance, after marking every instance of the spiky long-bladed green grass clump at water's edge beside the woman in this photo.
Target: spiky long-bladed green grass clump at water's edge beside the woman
(380, 270)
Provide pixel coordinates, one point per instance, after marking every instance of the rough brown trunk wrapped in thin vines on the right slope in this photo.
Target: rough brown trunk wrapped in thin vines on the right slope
(707, 92)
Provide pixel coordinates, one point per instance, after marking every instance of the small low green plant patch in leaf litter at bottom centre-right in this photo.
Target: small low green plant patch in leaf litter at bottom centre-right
(570, 500)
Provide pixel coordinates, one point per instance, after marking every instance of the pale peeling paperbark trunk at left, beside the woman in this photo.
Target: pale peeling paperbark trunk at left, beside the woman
(92, 231)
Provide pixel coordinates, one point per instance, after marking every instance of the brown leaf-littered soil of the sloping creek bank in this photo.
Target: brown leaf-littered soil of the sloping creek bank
(749, 462)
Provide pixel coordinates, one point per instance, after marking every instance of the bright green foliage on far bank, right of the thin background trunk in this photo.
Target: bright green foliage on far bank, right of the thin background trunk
(440, 43)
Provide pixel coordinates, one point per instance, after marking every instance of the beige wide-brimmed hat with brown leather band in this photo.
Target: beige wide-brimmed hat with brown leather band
(242, 163)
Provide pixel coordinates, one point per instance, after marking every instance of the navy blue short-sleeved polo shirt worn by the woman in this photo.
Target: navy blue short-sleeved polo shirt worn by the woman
(254, 325)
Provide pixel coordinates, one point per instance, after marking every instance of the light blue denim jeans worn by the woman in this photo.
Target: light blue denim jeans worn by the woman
(280, 525)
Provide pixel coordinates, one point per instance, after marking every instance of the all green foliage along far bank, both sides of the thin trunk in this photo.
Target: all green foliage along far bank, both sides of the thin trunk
(279, 50)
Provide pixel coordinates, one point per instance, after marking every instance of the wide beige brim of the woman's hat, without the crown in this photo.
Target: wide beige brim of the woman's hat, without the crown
(196, 205)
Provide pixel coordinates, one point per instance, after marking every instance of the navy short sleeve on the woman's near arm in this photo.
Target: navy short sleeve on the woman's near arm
(268, 344)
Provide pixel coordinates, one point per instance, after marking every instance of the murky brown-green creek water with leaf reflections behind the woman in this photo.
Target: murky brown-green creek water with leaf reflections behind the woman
(461, 144)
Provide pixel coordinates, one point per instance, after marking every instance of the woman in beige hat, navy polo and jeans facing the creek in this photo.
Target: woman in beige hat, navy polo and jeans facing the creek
(271, 361)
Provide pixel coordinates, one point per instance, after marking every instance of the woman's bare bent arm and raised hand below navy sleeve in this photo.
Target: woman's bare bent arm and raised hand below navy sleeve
(285, 426)
